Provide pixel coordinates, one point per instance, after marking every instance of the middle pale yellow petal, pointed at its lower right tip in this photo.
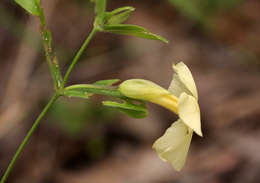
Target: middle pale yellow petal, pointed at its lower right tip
(189, 112)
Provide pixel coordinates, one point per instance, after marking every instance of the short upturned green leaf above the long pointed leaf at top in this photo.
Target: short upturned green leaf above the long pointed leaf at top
(119, 15)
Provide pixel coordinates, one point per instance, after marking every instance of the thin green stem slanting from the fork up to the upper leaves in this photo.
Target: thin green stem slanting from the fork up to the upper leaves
(79, 53)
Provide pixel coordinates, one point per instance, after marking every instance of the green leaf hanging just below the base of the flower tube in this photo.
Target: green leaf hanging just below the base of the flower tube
(129, 108)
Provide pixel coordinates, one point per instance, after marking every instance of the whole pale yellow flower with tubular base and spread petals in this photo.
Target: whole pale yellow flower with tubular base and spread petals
(182, 99)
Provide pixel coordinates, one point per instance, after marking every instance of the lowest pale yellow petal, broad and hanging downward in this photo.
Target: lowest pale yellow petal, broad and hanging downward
(173, 146)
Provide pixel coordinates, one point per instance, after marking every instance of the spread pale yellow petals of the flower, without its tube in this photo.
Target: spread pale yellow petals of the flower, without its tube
(173, 146)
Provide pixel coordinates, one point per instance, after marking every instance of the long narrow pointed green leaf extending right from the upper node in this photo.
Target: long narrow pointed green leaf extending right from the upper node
(133, 30)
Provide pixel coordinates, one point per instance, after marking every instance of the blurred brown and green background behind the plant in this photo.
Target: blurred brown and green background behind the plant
(83, 142)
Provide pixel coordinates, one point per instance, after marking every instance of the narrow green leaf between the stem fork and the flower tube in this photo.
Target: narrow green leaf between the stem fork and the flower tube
(83, 90)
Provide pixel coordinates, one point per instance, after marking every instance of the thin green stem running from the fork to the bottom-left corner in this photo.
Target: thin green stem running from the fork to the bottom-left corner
(28, 136)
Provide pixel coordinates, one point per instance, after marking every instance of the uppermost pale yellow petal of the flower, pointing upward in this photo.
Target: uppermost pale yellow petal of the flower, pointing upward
(183, 81)
